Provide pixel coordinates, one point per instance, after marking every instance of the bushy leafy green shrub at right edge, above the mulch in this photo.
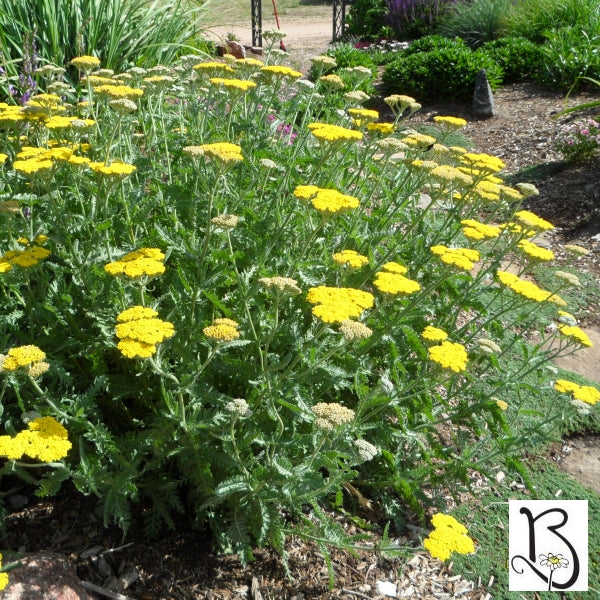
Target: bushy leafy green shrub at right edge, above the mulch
(569, 55)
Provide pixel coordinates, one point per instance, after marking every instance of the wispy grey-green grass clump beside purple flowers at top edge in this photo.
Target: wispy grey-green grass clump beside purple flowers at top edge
(475, 22)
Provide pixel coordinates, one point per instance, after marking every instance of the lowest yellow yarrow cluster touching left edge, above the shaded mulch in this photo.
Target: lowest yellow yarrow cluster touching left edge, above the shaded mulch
(45, 439)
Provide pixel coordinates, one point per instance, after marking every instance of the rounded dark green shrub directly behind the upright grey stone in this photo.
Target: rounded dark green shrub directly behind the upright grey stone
(445, 74)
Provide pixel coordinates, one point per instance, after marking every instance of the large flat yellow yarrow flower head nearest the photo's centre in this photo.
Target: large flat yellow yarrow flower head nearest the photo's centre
(334, 305)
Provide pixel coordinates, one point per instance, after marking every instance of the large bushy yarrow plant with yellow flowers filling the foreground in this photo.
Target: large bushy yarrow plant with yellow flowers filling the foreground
(235, 329)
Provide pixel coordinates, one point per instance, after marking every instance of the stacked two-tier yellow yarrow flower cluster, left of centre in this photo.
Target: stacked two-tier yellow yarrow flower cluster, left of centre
(139, 331)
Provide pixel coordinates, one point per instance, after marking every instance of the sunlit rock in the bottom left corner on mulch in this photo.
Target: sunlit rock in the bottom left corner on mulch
(44, 576)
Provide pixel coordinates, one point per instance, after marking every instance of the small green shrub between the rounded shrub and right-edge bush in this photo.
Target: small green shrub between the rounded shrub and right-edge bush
(519, 58)
